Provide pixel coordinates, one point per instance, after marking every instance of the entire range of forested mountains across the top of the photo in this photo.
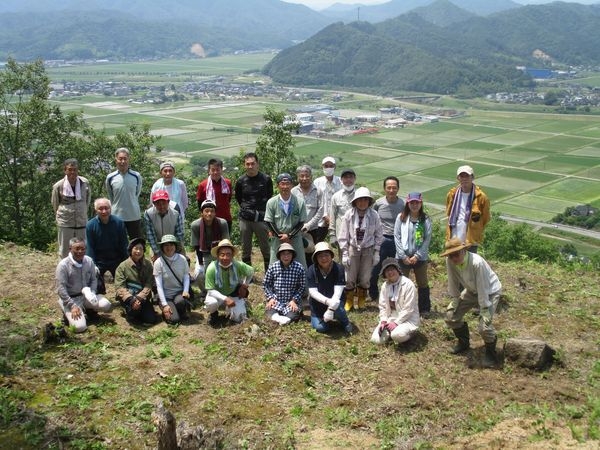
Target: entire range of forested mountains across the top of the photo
(441, 46)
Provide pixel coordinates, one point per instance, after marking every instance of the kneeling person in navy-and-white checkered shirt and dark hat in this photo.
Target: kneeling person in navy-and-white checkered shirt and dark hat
(284, 286)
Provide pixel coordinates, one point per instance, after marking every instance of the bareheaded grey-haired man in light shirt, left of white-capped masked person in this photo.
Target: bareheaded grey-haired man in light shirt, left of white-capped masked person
(313, 201)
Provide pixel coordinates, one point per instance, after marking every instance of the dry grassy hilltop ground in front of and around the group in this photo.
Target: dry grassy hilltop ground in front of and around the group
(270, 387)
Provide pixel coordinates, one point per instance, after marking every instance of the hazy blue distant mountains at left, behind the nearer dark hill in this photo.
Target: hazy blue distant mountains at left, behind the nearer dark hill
(64, 29)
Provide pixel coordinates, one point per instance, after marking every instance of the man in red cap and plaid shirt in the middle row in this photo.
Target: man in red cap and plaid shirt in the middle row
(162, 219)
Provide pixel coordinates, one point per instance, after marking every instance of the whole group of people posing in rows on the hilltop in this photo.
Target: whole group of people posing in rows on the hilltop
(299, 230)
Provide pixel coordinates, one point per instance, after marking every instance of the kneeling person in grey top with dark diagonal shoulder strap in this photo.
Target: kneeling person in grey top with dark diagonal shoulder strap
(171, 273)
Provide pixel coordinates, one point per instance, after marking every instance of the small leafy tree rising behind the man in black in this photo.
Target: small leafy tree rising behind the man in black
(275, 143)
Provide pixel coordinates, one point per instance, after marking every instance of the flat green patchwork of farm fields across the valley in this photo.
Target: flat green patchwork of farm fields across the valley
(531, 165)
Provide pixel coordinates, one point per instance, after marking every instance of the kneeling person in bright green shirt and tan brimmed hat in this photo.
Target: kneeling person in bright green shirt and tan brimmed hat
(227, 283)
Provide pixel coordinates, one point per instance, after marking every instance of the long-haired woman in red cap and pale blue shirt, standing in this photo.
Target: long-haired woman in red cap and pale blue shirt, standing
(412, 234)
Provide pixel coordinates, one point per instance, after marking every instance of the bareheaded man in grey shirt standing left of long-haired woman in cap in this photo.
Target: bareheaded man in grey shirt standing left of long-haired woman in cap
(387, 207)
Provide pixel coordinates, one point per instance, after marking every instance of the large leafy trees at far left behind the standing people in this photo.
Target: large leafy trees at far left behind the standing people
(36, 137)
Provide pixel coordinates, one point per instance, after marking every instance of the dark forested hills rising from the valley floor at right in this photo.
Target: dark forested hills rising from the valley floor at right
(410, 53)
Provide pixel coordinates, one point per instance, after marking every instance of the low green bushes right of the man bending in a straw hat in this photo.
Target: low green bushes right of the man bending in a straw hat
(506, 242)
